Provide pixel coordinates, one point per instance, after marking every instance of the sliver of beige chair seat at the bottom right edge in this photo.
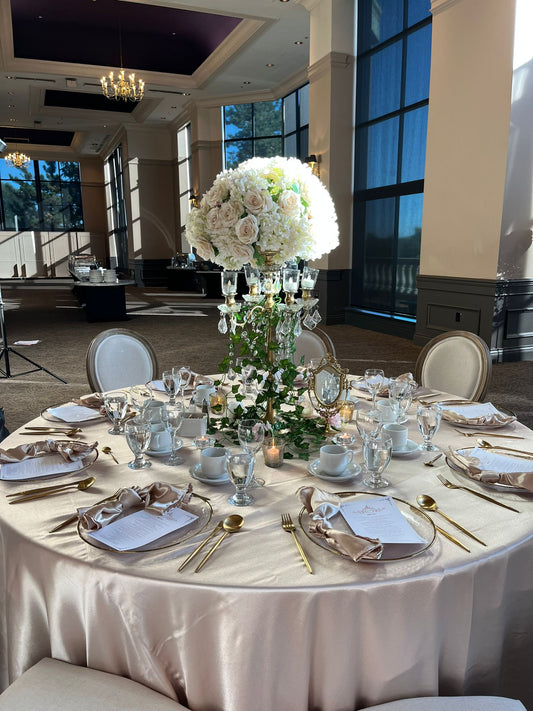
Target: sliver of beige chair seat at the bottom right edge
(451, 703)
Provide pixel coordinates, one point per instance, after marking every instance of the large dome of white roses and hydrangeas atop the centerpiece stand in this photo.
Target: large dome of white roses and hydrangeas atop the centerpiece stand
(273, 205)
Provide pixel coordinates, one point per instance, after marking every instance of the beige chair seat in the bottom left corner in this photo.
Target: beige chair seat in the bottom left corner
(52, 685)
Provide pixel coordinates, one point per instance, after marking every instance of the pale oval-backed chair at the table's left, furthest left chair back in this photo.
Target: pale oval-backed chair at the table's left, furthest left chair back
(118, 358)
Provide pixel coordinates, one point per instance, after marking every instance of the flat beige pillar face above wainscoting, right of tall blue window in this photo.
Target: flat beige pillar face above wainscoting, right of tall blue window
(468, 131)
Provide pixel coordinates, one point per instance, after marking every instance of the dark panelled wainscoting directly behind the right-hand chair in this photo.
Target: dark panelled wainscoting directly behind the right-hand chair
(501, 312)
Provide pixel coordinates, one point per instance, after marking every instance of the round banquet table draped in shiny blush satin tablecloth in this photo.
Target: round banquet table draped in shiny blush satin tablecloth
(254, 630)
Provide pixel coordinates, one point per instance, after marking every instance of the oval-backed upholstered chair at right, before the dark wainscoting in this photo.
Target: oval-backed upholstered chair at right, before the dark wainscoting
(455, 362)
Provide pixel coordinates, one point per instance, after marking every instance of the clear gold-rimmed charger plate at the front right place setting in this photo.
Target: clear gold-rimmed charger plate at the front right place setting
(419, 520)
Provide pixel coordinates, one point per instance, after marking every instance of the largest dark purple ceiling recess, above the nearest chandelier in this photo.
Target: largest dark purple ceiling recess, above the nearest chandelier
(158, 39)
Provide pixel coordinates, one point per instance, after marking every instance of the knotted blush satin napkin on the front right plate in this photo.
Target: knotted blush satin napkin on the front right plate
(323, 506)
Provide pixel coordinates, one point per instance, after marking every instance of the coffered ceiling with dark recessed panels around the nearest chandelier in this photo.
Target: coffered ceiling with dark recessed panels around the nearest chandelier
(53, 53)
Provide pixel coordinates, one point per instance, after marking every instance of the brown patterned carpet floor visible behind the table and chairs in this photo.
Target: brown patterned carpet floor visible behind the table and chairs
(182, 330)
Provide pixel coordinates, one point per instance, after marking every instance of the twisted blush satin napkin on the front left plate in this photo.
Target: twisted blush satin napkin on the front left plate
(156, 497)
